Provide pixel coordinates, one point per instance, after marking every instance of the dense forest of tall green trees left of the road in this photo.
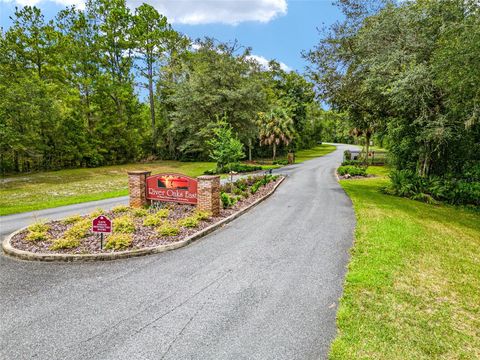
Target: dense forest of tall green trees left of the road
(109, 85)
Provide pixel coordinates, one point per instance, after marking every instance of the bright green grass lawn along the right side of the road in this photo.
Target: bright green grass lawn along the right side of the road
(413, 285)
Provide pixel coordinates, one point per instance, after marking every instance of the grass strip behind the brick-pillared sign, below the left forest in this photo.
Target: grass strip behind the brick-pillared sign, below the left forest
(65, 187)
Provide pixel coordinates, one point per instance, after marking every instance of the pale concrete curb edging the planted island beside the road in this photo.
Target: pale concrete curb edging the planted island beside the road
(12, 252)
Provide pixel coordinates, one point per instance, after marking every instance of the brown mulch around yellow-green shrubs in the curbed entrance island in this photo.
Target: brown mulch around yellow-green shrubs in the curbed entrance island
(143, 237)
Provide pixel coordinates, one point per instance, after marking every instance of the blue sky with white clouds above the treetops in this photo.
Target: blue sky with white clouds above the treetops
(275, 29)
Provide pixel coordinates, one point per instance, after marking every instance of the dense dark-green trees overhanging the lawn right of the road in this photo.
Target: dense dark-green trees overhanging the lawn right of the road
(408, 72)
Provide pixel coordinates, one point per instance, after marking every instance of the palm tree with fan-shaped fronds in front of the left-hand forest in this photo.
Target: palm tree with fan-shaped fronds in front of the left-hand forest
(275, 128)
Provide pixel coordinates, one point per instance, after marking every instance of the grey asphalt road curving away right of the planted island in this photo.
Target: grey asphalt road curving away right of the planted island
(263, 287)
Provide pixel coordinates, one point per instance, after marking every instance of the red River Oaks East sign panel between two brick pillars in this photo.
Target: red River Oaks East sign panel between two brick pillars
(173, 188)
